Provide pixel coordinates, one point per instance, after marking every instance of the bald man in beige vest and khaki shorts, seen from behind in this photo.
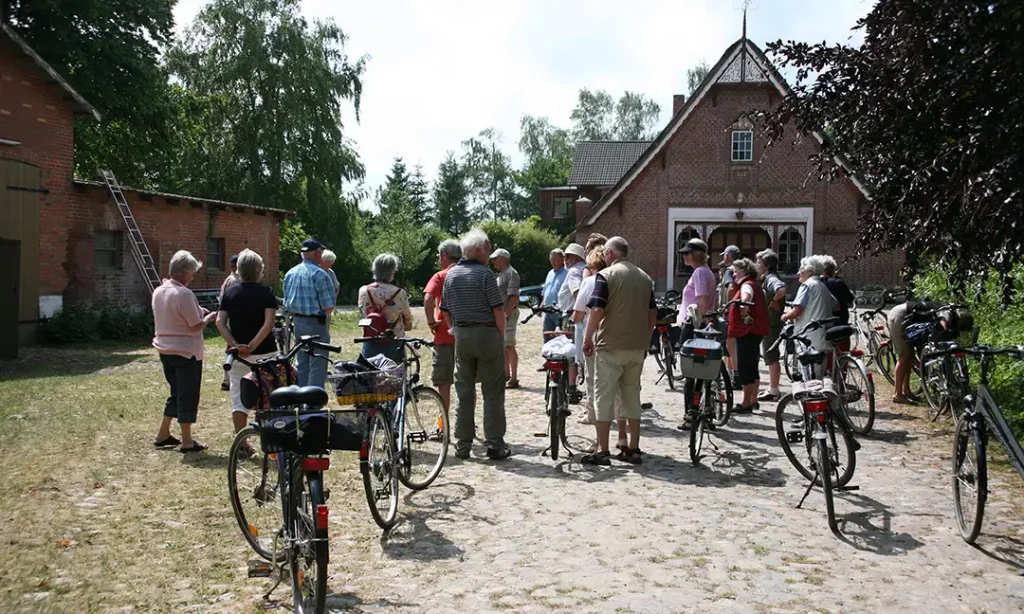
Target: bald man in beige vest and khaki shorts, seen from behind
(623, 315)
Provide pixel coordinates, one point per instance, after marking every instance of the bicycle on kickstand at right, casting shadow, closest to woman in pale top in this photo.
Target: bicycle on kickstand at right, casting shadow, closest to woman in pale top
(818, 425)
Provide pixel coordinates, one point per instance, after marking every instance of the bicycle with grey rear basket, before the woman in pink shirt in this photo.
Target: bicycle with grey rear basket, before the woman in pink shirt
(708, 388)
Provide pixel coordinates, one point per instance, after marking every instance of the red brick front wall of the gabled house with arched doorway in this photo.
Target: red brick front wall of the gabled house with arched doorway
(698, 172)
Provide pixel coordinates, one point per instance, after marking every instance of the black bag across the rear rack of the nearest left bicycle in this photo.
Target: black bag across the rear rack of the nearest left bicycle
(308, 434)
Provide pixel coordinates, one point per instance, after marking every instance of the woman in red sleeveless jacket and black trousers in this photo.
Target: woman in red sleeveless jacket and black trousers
(748, 326)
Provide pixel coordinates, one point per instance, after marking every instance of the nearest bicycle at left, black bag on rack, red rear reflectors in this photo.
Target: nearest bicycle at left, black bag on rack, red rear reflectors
(294, 433)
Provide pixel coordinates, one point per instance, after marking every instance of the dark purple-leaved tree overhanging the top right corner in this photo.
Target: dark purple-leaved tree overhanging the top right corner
(928, 111)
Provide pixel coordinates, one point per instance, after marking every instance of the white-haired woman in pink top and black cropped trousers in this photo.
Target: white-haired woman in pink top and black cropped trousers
(179, 323)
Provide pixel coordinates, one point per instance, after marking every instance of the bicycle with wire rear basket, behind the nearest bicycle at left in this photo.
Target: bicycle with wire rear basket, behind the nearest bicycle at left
(407, 427)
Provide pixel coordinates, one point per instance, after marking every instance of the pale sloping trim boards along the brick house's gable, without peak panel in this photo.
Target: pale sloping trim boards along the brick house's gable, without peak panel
(754, 57)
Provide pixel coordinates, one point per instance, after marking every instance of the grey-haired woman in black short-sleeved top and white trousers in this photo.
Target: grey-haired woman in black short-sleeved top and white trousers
(245, 321)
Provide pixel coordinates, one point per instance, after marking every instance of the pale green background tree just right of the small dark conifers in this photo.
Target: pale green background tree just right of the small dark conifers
(490, 176)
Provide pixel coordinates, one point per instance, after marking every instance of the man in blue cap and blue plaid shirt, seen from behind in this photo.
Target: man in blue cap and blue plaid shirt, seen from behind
(310, 298)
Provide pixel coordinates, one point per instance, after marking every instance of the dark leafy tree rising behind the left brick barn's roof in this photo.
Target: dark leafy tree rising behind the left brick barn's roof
(108, 51)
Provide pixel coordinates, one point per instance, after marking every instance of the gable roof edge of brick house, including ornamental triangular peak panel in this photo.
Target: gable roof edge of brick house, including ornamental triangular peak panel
(744, 62)
